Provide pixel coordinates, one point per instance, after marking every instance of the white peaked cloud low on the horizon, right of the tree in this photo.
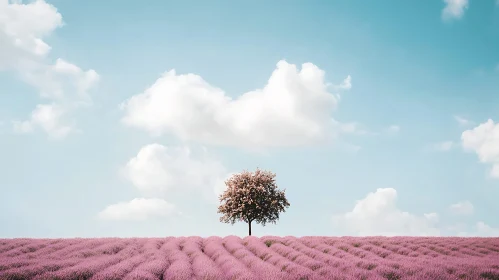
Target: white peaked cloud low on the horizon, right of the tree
(378, 214)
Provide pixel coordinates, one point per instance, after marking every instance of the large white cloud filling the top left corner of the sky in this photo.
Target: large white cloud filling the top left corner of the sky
(23, 28)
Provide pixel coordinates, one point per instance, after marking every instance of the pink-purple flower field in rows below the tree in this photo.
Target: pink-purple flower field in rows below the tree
(267, 257)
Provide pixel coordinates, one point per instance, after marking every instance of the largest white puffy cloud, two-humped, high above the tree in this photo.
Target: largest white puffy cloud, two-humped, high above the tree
(292, 109)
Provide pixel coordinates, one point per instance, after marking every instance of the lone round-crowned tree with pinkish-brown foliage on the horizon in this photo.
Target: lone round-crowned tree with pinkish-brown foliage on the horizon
(252, 196)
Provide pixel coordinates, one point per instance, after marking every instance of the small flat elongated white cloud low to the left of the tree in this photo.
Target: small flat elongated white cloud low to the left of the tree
(137, 209)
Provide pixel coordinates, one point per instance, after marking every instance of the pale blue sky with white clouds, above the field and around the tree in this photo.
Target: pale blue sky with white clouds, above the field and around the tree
(124, 118)
